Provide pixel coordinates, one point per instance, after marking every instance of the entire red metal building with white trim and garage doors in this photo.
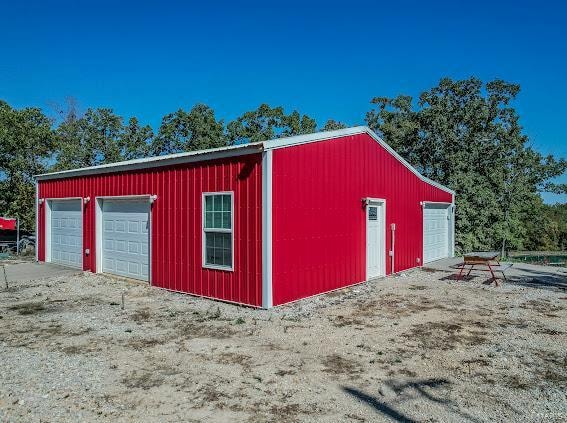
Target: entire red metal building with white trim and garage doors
(260, 224)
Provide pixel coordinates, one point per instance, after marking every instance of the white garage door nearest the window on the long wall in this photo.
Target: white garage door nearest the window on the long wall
(125, 238)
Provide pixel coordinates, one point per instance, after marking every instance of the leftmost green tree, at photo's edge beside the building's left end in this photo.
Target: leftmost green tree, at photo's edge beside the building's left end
(26, 144)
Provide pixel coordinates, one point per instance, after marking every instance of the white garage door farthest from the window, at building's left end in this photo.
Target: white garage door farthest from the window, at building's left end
(67, 233)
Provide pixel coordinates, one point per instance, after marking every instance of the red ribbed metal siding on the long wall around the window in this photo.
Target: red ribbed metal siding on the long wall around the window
(176, 250)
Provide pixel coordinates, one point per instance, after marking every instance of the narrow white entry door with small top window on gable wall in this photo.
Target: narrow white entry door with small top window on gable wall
(375, 240)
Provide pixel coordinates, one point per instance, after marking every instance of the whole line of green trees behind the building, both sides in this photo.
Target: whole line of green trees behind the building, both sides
(464, 134)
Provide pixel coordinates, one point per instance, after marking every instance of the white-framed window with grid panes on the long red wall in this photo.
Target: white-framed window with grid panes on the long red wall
(217, 227)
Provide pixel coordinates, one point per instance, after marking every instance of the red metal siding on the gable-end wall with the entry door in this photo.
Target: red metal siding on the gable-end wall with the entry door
(319, 224)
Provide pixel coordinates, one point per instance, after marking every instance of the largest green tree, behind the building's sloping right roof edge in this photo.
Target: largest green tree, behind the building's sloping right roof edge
(466, 135)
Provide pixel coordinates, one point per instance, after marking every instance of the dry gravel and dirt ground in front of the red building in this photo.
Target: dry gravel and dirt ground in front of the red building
(415, 347)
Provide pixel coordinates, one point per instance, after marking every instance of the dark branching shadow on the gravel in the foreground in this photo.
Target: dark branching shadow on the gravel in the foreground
(428, 389)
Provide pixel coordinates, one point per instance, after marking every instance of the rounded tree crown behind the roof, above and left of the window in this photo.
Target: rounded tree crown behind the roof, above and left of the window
(181, 131)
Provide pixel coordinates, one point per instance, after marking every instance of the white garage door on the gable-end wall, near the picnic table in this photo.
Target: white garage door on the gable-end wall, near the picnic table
(435, 232)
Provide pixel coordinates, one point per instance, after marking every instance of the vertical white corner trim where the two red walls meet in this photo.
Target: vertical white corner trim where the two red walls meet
(267, 175)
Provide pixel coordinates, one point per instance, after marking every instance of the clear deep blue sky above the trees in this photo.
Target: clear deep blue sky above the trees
(326, 59)
